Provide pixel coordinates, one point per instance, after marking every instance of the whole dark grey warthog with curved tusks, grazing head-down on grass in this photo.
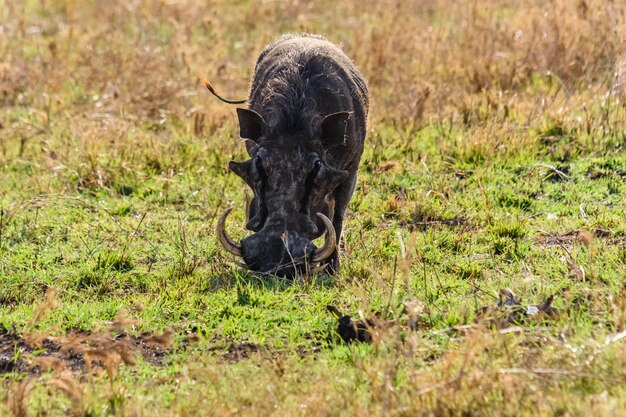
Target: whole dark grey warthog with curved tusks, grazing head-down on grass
(304, 130)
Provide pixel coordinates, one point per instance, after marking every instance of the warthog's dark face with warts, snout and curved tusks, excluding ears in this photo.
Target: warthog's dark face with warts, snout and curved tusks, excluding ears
(292, 202)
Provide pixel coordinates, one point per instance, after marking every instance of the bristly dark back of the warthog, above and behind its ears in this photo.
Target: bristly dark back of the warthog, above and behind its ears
(299, 79)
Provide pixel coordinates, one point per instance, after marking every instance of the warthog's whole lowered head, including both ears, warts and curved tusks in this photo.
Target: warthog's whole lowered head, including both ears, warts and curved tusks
(293, 186)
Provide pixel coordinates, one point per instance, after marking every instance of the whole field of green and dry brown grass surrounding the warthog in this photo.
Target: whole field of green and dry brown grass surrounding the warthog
(495, 159)
